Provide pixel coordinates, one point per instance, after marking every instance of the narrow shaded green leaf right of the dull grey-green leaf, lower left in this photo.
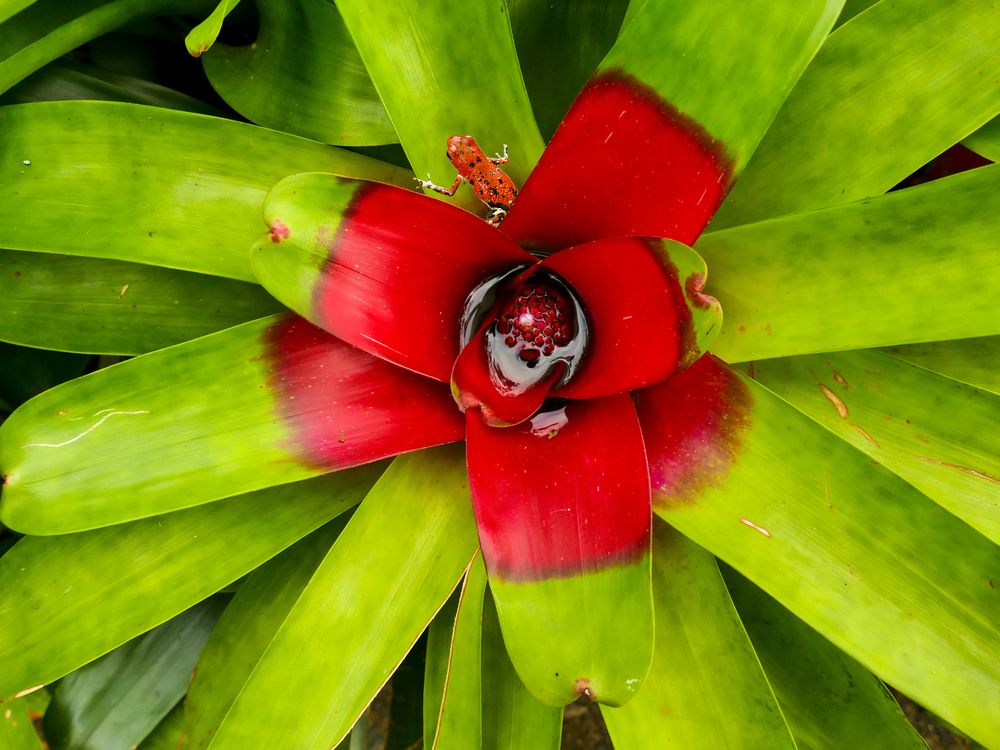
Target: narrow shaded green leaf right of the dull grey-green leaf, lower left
(245, 630)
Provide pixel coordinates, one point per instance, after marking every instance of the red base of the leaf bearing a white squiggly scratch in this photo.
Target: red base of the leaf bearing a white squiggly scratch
(344, 407)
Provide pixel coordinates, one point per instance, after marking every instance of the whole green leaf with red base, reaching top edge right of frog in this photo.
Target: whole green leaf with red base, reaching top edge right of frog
(652, 143)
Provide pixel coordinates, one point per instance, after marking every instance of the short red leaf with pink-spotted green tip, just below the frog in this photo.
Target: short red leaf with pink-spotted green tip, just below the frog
(384, 269)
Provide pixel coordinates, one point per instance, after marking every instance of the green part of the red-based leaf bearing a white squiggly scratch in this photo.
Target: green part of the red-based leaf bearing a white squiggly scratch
(167, 442)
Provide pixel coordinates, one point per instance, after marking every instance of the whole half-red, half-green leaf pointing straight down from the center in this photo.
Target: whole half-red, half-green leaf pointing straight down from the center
(564, 524)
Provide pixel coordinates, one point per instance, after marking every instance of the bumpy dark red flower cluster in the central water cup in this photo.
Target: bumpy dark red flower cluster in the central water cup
(538, 317)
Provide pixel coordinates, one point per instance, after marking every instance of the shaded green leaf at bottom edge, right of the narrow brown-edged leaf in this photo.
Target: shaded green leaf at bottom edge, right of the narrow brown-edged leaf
(513, 719)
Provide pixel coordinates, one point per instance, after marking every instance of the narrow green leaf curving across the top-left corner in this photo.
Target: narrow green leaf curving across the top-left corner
(40, 35)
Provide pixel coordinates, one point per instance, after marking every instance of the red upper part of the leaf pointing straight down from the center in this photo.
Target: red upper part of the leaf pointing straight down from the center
(563, 493)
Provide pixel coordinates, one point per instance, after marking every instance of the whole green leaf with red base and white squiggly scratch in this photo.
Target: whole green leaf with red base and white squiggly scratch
(302, 403)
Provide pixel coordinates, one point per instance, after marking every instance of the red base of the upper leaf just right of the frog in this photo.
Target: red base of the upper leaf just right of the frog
(624, 162)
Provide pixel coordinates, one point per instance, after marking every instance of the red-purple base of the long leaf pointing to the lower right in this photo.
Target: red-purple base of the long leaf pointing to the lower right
(693, 425)
